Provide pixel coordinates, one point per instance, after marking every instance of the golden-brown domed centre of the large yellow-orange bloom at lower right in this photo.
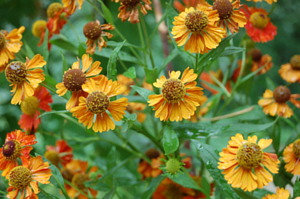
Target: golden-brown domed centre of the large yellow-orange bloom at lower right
(249, 155)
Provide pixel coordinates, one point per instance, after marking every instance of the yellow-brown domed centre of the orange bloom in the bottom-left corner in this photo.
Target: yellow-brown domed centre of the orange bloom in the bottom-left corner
(19, 177)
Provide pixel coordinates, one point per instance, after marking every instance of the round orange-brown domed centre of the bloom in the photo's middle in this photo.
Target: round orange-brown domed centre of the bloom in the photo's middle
(173, 90)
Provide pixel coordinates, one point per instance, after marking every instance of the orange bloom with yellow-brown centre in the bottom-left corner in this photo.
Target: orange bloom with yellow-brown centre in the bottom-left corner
(23, 180)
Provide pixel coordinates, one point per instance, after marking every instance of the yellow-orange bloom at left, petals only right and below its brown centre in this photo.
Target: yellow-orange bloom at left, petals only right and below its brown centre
(25, 77)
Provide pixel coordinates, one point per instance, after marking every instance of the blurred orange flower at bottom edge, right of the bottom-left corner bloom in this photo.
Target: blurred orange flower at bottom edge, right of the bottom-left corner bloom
(79, 174)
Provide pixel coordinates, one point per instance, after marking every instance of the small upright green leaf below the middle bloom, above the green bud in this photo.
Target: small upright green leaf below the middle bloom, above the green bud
(170, 140)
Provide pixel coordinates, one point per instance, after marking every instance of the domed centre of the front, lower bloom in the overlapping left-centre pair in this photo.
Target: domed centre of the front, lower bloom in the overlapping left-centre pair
(97, 102)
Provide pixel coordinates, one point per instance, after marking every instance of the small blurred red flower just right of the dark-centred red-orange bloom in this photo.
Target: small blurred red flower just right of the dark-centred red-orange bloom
(60, 154)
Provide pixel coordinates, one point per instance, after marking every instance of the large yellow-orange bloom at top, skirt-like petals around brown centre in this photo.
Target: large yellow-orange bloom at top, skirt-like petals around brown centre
(195, 29)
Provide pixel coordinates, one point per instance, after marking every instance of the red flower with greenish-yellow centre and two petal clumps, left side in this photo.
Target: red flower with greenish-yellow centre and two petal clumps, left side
(29, 120)
